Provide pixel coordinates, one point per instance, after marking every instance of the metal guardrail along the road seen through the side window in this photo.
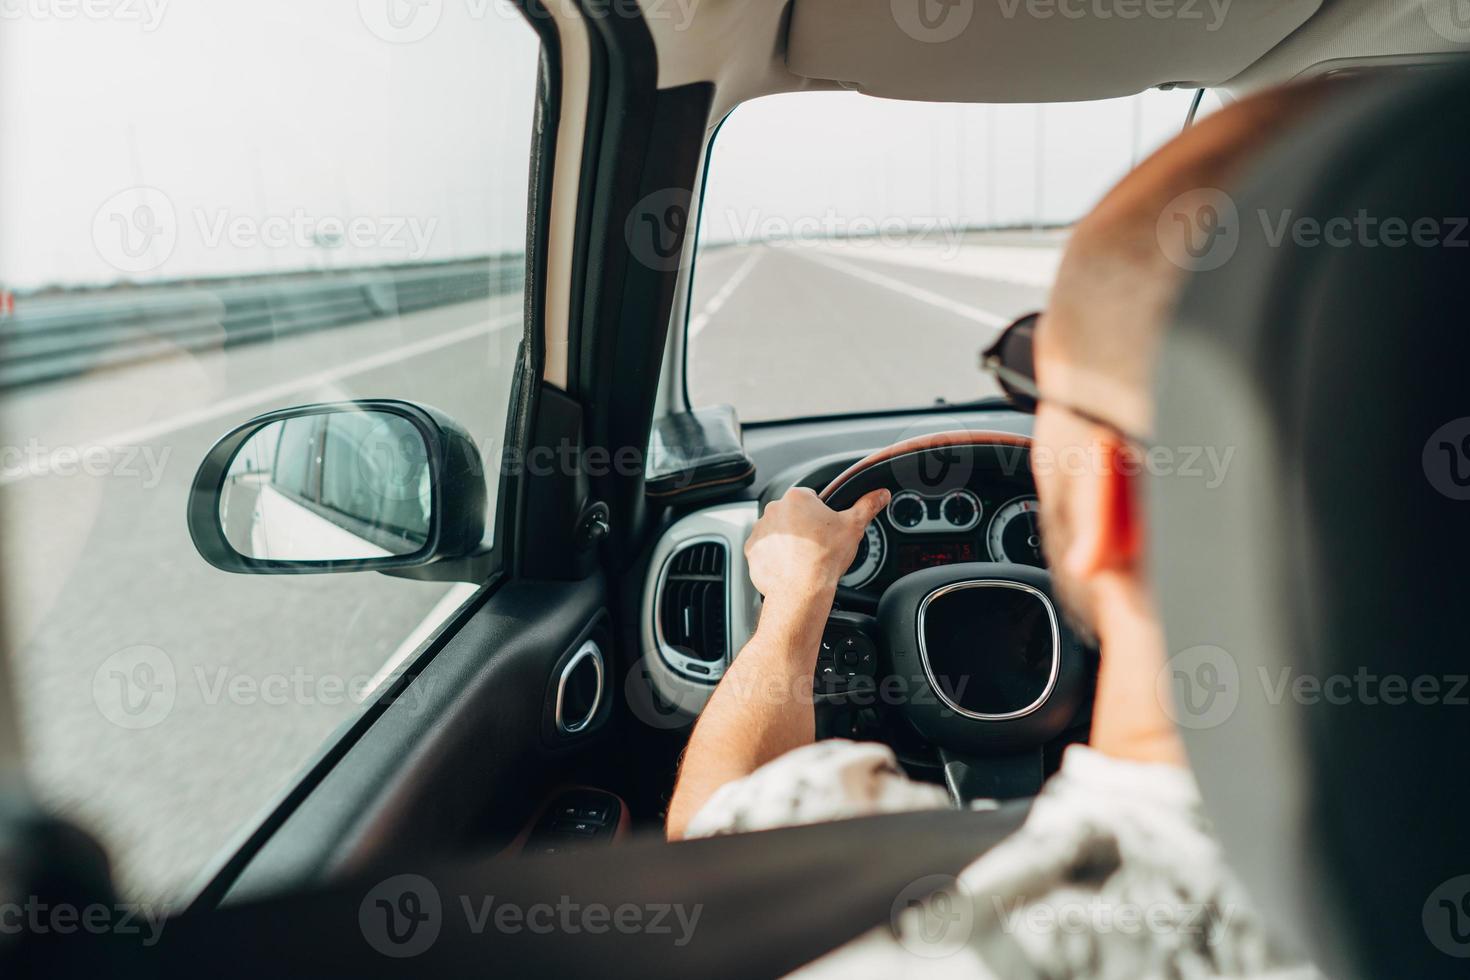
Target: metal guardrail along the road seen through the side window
(54, 336)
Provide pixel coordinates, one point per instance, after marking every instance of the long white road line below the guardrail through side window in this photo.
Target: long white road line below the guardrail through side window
(230, 406)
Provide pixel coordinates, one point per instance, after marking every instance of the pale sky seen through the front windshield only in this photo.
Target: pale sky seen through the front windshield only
(812, 155)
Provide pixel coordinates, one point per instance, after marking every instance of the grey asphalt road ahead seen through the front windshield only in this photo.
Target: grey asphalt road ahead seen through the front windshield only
(814, 330)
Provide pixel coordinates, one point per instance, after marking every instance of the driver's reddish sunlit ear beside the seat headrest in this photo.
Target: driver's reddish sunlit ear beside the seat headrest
(1106, 533)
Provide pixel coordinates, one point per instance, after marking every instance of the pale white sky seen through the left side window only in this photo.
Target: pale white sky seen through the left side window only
(258, 123)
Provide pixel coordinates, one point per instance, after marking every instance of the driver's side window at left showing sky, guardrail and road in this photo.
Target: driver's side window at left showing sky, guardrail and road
(270, 205)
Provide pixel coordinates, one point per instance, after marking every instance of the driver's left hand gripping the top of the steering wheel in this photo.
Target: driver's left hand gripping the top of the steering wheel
(802, 547)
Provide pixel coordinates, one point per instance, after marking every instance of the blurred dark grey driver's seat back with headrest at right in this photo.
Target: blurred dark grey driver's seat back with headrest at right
(1316, 602)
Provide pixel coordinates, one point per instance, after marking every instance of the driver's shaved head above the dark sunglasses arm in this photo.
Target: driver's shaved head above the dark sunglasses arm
(1100, 337)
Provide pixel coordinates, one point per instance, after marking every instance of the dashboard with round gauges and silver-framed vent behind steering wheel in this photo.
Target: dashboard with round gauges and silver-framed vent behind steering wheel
(699, 606)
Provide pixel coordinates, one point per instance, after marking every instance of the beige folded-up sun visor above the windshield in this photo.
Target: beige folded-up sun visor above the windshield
(1033, 51)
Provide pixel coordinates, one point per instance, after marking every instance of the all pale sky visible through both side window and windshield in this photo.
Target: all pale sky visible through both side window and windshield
(148, 140)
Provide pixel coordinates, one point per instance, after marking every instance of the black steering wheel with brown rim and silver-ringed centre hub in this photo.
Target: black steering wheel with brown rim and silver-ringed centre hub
(975, 656)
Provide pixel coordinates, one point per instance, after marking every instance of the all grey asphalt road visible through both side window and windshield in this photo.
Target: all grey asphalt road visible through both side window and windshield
(165, 705)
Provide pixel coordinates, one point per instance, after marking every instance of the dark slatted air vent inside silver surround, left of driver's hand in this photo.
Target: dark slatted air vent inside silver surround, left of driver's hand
(692, 608)
